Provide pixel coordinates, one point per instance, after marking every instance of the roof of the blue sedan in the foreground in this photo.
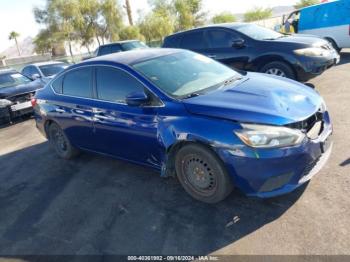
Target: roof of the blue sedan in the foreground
(133, 56)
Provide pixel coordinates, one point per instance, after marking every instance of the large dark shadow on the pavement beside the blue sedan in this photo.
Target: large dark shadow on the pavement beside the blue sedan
(99, 205)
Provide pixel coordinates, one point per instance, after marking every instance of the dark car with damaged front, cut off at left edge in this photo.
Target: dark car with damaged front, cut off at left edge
(16, 91)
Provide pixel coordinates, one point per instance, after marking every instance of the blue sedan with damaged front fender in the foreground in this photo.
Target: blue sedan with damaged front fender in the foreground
(189, 116)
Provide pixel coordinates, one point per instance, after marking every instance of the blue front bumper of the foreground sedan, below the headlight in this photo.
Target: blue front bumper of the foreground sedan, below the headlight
(271, 172)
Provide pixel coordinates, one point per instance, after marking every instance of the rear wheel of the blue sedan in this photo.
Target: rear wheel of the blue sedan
(60, 142)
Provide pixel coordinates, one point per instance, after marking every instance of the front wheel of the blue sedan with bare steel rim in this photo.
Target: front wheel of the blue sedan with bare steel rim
(202, 174)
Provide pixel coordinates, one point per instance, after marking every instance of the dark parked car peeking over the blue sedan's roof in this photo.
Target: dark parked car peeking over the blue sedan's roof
(120, 47)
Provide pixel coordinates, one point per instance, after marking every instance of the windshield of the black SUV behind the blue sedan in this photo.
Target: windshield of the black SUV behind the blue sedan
(258, 32)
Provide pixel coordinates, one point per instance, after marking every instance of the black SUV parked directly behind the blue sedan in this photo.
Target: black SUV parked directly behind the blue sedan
(254, 48)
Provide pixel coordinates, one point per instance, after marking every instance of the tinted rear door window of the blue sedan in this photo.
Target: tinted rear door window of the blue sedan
(78, 82)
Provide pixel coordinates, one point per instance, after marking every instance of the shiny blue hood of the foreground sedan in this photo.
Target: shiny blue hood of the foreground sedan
(258, 98)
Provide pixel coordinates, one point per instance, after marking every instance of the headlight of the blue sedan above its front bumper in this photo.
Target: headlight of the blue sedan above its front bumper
(261, 136)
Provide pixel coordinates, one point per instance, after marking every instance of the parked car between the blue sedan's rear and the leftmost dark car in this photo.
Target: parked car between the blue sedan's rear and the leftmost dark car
(44, 71)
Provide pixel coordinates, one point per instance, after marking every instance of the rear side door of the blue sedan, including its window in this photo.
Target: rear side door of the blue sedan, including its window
(72, 109)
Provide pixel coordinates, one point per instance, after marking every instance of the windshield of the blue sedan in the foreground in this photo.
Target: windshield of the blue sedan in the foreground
(185, 73)
